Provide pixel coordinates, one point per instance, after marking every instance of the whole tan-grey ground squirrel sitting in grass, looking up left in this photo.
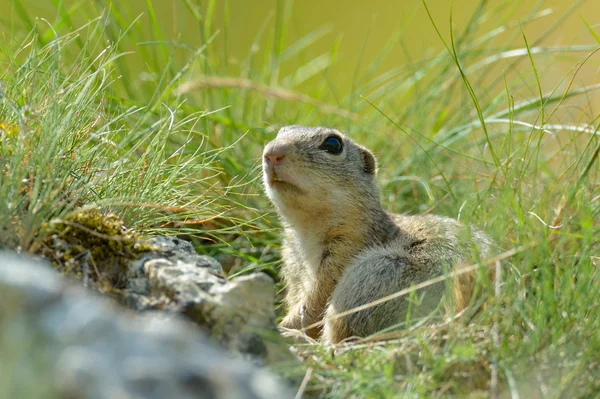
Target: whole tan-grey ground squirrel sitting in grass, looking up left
(341, 249)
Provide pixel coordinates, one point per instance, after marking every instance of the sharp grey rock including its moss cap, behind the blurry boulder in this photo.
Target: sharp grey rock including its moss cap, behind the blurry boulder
(166, 274)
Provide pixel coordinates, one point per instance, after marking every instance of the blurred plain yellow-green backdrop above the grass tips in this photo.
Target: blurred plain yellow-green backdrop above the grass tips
(357, 29)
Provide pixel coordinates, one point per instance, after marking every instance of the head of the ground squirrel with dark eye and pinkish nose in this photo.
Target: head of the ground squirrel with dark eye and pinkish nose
(318, 170)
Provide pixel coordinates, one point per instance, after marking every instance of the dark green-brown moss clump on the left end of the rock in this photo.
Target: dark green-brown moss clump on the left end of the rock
(93, 244)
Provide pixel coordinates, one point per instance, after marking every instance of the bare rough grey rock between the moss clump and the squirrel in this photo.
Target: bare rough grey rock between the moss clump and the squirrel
(239, 312)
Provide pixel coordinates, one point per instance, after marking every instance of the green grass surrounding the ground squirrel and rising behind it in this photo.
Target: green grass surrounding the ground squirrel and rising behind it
(169, 139)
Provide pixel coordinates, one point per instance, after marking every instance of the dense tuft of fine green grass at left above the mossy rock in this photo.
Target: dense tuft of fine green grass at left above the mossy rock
(68, 143)
